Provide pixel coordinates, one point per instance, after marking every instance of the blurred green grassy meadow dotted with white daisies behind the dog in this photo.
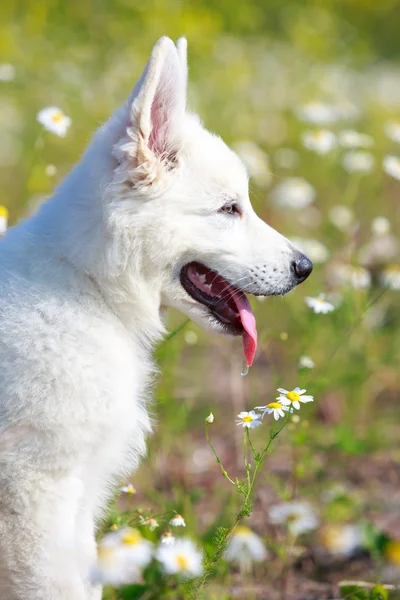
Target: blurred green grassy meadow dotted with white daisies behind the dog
(309, 94)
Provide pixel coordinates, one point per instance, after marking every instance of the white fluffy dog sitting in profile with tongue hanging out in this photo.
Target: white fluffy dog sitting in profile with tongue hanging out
(156, 214)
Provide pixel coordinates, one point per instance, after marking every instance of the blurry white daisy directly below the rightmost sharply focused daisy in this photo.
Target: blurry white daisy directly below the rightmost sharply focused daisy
(299, 517)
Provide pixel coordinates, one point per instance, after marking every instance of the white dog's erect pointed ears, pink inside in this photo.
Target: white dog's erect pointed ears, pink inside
(158, 103)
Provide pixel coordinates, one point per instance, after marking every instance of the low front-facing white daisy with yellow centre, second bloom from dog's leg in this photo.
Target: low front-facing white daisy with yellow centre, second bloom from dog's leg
(180, 558)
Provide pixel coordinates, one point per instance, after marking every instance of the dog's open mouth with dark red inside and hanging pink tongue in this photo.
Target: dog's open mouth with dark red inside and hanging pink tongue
(226, 303)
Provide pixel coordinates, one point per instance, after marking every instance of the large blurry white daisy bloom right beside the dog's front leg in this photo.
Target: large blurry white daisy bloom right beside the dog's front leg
(121, 556)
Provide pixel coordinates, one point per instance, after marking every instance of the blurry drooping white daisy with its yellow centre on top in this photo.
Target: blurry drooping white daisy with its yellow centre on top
(245, 547)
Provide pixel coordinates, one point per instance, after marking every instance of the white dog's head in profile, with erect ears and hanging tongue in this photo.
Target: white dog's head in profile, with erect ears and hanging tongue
(182, 195)
